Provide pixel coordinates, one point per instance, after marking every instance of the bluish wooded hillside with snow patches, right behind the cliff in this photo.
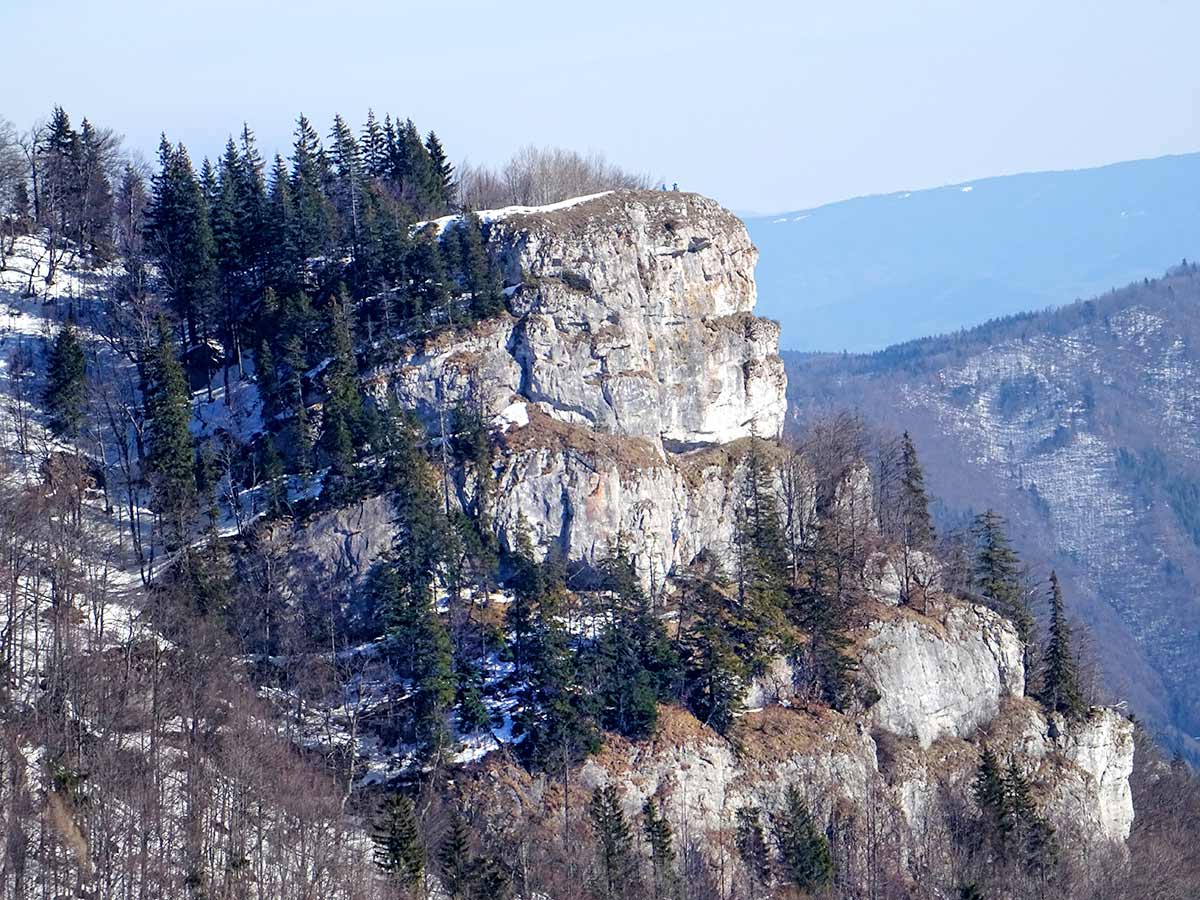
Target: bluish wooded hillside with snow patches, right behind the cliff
(1081, 425)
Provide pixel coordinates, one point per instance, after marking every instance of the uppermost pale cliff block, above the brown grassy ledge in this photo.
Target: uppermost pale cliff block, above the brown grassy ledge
(632, 314)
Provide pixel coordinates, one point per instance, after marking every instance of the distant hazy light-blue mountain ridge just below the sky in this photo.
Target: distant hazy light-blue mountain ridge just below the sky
(863, 274)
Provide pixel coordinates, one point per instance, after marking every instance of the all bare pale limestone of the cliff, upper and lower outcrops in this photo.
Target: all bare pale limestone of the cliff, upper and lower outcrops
(626, 382)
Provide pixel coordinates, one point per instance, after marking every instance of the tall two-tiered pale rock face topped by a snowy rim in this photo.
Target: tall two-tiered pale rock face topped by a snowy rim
(629, 343)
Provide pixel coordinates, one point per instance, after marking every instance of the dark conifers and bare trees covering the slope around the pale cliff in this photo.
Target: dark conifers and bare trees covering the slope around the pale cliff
(202, 387)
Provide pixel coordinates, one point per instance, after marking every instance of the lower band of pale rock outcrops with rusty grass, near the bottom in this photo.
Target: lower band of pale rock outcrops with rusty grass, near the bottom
(908, 764)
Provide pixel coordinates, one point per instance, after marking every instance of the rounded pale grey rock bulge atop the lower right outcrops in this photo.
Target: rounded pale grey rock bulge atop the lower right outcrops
(943, 679)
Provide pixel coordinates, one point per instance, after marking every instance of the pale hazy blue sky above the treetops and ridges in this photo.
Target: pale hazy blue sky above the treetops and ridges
(766, 106)
